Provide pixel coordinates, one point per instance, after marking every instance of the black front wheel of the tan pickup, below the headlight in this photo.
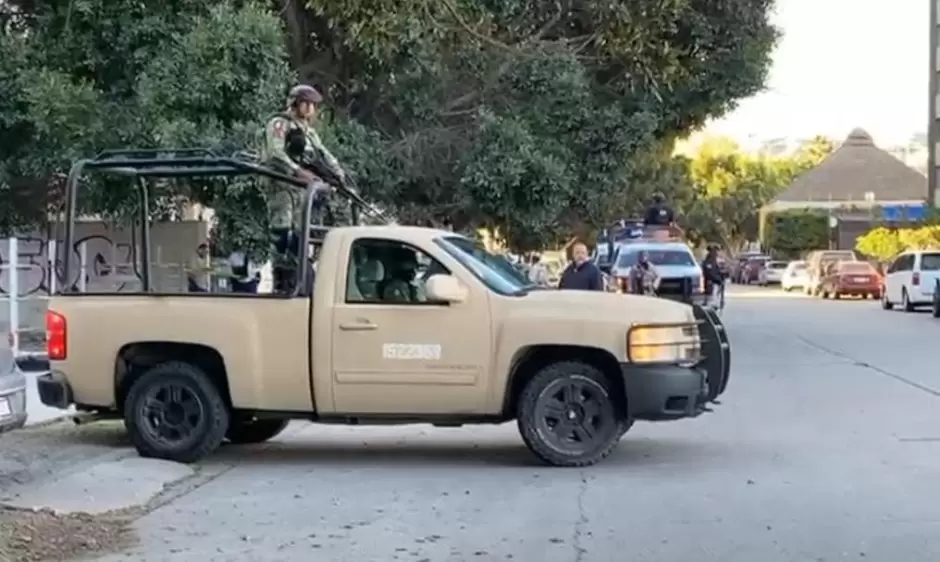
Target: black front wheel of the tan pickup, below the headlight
(567, 415)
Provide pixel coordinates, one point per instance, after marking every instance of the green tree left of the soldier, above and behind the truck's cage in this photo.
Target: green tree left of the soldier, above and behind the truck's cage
(80, 76)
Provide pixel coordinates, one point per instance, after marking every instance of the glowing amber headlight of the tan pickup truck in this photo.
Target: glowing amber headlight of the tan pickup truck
(664, 343)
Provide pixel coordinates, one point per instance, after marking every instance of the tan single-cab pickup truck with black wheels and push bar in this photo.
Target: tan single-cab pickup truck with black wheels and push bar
(399, 325)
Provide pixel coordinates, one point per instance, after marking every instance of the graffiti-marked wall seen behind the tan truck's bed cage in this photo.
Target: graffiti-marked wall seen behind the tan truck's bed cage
(109, 264)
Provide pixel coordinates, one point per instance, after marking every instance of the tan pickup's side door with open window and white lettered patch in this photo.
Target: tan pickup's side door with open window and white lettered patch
(396, 353)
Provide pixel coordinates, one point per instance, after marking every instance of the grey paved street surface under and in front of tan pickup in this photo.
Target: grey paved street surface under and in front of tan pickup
(826, 447)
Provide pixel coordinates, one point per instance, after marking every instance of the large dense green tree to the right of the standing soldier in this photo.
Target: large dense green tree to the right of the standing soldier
(524, 116)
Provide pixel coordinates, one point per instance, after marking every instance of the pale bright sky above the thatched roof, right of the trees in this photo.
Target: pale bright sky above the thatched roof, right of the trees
(842, 64)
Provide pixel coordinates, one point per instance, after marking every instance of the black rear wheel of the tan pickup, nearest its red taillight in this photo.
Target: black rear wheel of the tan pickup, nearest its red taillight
(174, 411)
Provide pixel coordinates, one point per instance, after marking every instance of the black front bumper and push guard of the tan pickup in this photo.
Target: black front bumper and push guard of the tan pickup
(670, 392)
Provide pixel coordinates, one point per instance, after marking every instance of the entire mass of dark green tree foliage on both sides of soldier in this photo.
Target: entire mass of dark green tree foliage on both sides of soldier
(533, 119)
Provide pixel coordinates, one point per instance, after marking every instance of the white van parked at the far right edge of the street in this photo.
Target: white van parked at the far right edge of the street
(911, 279)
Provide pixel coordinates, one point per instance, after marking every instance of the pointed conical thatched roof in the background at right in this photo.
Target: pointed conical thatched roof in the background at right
(854, 169)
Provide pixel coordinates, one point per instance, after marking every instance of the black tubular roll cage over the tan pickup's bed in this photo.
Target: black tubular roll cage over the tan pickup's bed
(146, 164)
